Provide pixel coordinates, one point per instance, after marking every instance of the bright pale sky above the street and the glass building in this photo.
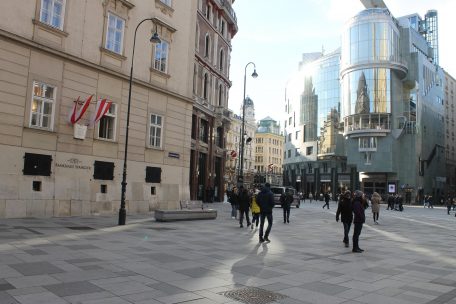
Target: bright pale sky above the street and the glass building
(275, 34)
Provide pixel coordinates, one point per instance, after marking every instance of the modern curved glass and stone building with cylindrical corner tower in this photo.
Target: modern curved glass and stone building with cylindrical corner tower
(375, 119)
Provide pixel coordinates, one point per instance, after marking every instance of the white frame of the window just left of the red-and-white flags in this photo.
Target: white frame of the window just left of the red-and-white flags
(41, 100)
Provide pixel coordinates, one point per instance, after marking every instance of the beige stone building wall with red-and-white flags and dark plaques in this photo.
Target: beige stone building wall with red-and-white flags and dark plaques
(56, 51)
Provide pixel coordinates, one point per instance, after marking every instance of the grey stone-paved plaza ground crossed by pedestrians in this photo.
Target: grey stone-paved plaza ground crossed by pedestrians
(409, 258)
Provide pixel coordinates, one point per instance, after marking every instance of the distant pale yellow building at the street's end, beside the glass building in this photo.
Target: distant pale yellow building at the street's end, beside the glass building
(269, 143)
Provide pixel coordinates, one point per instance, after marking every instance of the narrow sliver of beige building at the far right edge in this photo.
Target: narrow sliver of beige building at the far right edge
(450, 142)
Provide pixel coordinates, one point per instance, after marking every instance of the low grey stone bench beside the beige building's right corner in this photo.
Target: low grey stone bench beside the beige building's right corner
(190, 210)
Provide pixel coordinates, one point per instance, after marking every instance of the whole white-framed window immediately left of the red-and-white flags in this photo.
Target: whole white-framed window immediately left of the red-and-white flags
(43, 101)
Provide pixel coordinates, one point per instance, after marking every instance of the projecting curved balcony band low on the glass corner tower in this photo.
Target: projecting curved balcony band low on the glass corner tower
(374, 124)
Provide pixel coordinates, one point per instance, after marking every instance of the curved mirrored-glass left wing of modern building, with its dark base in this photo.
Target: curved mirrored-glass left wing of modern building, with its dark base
(314, 158)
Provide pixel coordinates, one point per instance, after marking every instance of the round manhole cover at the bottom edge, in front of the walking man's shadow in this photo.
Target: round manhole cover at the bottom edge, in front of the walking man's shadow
(253, 295)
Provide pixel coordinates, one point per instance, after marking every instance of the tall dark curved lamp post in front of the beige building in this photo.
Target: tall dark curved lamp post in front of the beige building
(122, 211)
